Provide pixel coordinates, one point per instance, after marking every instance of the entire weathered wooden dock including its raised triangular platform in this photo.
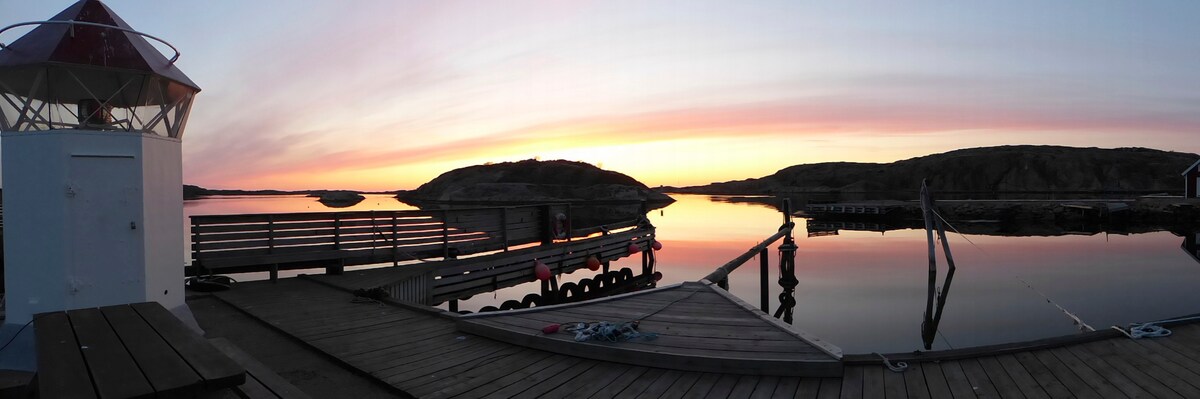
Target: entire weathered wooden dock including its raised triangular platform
(710, 343)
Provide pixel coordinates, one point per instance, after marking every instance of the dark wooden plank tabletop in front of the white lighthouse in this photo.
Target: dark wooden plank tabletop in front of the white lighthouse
(127, 352)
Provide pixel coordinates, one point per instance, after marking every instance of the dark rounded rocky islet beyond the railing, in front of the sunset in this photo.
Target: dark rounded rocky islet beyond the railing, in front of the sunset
(527, 182)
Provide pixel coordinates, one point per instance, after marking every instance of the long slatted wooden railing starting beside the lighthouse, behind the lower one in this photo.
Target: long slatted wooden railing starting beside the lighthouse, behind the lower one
(261, 242)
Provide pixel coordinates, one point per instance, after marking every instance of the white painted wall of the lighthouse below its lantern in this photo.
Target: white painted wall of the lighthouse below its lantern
(92, 219)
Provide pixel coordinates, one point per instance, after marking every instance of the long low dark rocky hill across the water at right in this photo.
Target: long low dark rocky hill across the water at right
(1011, 169)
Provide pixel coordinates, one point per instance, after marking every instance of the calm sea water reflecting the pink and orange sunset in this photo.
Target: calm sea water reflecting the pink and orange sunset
(867, 291)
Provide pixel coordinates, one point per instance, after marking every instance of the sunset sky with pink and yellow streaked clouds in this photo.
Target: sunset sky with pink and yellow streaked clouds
(385, 96)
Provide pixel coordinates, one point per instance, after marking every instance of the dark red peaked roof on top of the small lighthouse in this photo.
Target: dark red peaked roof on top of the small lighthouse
(89, 45)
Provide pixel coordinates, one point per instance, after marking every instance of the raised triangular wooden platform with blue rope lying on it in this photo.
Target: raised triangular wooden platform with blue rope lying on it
(700, 329)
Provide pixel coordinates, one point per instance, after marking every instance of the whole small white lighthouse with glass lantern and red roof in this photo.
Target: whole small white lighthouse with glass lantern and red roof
(92, 116)
